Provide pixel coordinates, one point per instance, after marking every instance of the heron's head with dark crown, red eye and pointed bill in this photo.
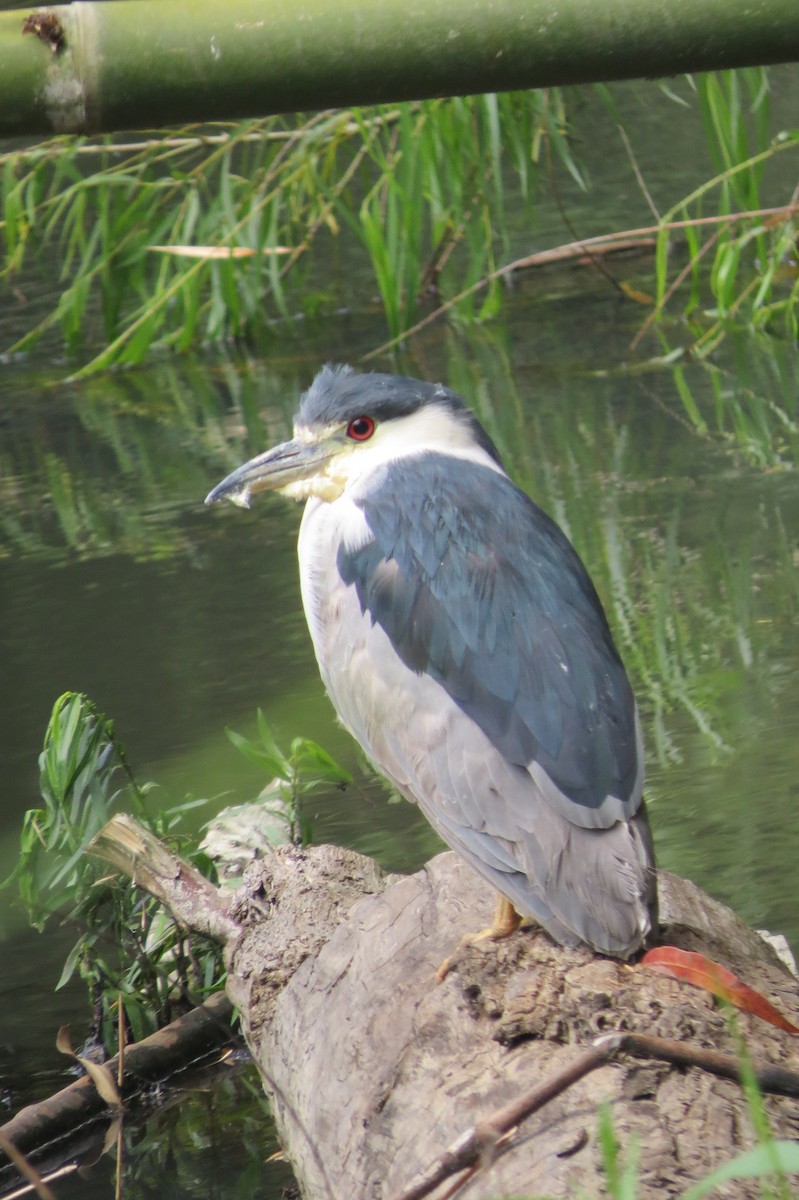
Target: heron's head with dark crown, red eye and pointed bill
(350, 424)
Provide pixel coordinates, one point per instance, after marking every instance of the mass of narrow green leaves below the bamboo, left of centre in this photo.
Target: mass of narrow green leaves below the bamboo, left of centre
(411, 182)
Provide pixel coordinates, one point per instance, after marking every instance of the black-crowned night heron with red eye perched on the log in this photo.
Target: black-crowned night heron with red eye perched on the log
(465, 647)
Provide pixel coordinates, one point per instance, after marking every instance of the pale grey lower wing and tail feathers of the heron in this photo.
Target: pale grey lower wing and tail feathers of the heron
(593, 885)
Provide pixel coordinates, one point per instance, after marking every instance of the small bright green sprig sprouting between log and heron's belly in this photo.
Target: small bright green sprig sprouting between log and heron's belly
(304, 770)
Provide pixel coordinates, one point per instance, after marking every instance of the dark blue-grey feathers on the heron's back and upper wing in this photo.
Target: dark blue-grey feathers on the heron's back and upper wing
(477, 589)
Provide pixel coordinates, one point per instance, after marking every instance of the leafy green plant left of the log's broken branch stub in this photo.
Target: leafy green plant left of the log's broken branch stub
(129, 949)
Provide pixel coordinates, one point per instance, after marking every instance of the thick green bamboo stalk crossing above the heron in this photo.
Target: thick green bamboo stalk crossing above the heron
(139, 64)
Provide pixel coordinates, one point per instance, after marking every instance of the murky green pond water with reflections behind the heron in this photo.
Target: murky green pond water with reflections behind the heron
(181, 621)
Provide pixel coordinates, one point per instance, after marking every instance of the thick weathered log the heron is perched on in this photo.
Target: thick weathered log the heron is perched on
(374, 1071)
